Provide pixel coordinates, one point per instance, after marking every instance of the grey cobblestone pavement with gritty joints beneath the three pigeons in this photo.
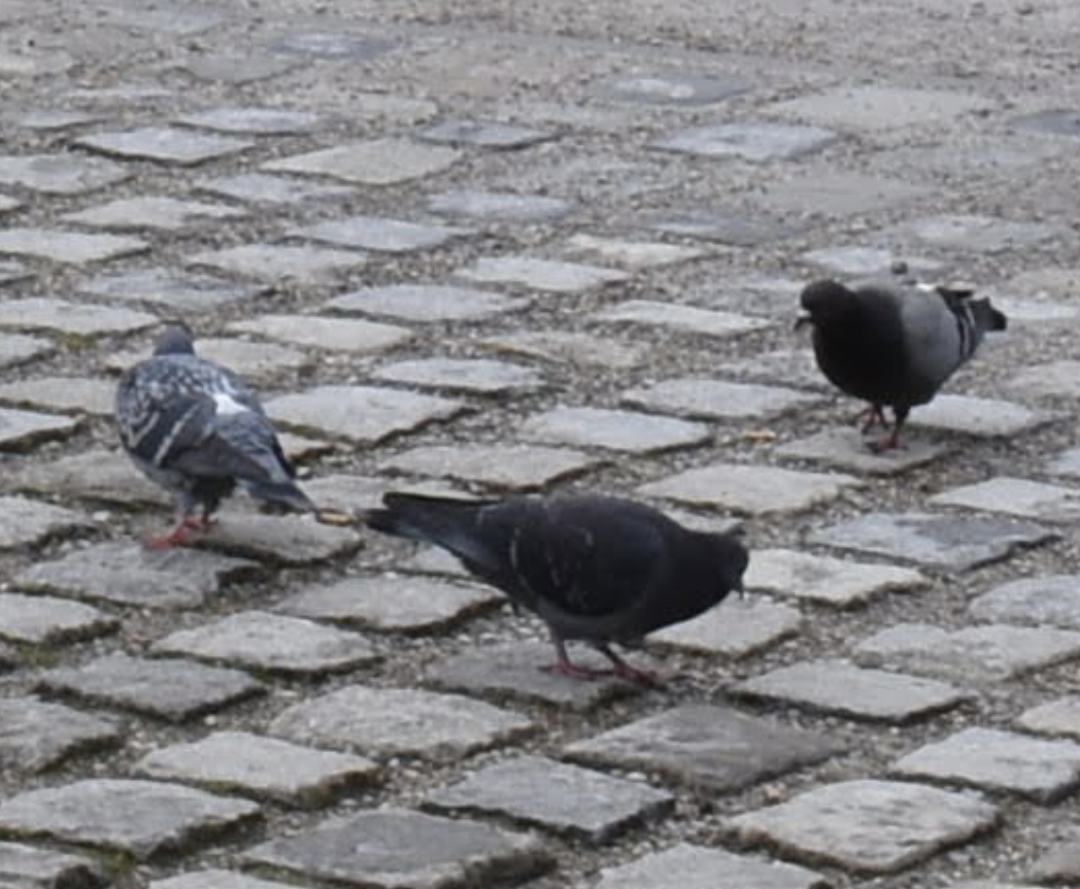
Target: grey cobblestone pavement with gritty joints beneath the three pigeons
(514, 248)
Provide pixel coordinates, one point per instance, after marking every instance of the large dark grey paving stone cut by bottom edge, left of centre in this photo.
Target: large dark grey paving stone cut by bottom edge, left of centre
(394, 848)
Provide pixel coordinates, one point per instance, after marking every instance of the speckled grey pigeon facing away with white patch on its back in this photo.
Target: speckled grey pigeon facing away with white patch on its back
(194, 428)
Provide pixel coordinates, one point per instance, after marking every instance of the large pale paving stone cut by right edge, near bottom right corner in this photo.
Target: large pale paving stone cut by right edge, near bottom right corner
(998, 761)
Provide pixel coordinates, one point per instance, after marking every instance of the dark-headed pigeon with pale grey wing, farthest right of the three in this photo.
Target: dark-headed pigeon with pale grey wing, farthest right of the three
(895, 345)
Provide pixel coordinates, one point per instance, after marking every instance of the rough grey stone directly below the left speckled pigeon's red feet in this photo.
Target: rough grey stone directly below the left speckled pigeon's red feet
(129, 574)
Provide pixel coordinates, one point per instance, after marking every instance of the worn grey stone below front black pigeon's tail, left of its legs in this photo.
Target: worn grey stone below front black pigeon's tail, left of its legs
(393, 603)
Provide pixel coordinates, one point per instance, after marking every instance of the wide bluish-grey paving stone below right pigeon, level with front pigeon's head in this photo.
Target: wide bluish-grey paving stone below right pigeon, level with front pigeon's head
(954, 543)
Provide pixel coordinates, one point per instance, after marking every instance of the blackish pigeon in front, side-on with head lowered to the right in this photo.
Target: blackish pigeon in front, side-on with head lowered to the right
(595, 569)
